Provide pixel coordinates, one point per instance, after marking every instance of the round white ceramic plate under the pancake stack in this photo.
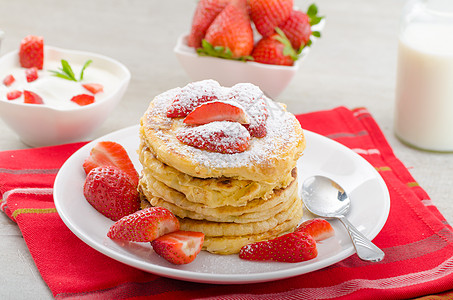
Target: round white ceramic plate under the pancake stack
(369, 211)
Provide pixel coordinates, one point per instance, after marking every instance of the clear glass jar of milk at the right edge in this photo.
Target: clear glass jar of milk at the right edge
(424, 90)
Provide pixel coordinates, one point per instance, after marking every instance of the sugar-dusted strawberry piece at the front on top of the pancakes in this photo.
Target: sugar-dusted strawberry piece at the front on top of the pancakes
(222, 137)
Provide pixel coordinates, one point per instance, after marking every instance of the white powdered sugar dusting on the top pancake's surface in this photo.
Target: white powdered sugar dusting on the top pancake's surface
(280, 136)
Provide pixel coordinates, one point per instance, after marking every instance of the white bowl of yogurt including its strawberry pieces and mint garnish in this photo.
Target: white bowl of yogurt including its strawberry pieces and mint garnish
(50, 96)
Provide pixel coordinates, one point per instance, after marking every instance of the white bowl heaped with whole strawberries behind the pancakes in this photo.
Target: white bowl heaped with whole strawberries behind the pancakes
(256, 41)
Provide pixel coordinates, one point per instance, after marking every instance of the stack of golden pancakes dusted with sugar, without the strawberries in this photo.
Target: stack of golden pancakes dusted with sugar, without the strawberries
(234, 199)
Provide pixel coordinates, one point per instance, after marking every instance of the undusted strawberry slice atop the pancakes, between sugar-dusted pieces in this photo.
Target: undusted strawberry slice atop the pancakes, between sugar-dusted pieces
(216, 111)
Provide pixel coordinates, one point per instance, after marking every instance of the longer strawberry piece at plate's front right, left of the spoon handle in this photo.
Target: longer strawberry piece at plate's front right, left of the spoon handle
(291, 247)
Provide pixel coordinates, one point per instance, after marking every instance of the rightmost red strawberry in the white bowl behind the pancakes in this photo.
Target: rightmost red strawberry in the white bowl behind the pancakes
(297, 29)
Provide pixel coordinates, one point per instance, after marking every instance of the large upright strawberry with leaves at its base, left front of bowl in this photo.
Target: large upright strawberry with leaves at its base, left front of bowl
(230, 35)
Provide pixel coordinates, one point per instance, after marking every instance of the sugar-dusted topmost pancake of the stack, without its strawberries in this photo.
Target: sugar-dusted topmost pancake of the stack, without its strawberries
(265, 160)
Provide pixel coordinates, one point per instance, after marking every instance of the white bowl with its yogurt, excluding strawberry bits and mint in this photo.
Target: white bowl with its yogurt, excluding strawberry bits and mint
(59, 120)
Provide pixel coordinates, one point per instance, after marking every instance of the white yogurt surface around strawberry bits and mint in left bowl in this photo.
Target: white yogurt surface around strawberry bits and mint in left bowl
(57, 92)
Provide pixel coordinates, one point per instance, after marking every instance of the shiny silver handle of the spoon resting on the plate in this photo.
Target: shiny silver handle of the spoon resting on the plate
(365, 249)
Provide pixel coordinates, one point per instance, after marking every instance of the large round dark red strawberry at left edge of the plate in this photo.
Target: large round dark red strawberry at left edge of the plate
(110, 191)
